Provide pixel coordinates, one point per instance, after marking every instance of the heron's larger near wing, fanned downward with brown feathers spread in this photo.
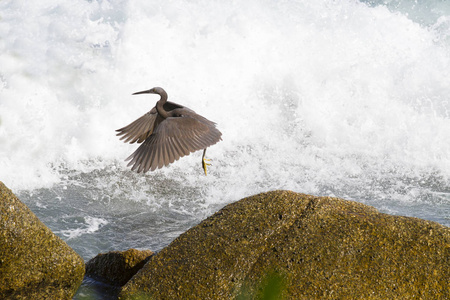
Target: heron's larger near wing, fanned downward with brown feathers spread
(175, 137)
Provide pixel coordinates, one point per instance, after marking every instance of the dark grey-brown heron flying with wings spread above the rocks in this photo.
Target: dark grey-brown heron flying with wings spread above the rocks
(167, 132)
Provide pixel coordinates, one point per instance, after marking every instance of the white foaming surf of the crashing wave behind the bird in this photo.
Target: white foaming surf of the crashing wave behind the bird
(325, 97)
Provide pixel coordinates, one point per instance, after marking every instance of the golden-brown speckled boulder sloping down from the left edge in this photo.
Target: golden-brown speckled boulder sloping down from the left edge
(34, 263)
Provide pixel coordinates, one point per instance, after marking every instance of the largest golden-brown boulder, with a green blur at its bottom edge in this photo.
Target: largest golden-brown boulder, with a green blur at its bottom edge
(286, 245)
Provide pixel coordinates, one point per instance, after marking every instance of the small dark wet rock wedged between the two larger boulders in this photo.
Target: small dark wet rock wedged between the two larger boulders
(117, 267)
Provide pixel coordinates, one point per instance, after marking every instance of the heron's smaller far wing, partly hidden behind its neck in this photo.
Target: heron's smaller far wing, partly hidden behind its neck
(143, 127)
